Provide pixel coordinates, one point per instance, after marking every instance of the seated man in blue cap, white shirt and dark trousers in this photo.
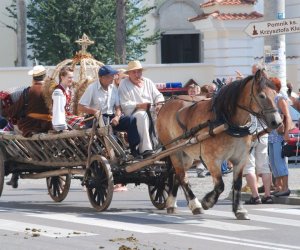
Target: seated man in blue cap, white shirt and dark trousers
(102, 96)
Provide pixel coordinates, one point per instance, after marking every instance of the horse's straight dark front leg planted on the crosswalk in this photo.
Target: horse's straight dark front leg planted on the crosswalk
(237, 206)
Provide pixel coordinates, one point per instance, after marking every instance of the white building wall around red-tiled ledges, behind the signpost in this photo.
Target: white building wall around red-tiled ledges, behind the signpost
(227, 46)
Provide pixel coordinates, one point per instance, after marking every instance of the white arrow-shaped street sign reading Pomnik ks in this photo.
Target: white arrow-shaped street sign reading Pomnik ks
(273, 28)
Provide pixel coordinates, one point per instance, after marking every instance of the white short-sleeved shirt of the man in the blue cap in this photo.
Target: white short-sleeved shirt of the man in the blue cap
(98, 98)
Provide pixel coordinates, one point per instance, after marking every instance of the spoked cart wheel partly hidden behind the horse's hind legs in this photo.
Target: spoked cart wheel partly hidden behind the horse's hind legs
(160, 190)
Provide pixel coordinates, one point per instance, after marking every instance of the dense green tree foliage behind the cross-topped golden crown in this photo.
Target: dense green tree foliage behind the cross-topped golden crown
(55, 25)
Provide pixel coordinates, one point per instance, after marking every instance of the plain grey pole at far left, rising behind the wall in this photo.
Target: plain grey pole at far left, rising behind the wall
(21, 33)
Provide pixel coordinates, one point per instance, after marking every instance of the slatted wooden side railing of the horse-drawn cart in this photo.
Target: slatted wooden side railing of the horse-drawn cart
(69, 148)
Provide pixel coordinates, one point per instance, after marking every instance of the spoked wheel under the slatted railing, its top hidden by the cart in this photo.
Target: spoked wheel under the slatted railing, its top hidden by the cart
(59, 186)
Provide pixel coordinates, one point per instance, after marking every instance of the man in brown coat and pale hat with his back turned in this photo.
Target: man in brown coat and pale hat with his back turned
(30, 111)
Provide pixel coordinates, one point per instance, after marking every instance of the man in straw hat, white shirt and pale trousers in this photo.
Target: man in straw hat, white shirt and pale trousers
(137, 95)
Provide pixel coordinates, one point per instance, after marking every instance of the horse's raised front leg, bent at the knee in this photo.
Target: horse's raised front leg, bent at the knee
(211, 198)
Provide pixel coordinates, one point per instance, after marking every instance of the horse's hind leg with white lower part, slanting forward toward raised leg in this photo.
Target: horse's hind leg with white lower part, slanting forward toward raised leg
(193, 202)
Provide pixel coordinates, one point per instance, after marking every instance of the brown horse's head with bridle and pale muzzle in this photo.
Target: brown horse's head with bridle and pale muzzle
(262, 100)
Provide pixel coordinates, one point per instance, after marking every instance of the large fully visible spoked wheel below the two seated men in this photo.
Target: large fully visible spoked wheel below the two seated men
(99, 183)
